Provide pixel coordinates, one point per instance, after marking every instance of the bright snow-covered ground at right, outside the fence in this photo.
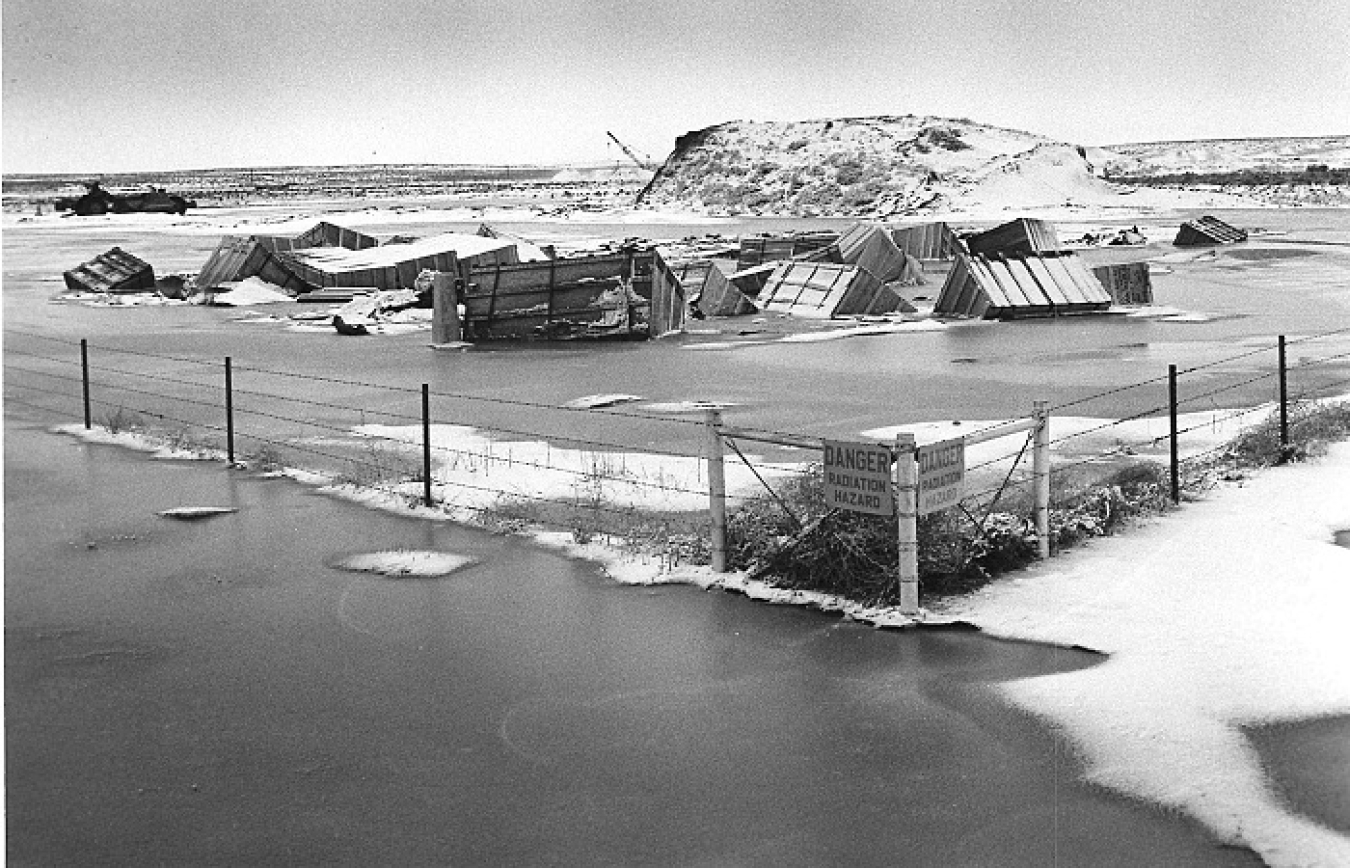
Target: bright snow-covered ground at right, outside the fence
(1228, 615)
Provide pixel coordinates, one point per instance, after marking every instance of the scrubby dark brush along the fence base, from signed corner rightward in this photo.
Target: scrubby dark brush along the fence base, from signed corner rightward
(805, 546)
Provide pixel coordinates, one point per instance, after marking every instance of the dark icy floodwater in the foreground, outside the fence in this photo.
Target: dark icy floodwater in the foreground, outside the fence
(218, 693)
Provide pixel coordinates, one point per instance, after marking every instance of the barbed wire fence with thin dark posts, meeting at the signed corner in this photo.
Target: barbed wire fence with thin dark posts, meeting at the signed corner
(511, 465)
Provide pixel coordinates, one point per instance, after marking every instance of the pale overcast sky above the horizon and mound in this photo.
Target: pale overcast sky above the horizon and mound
(114, 86)
